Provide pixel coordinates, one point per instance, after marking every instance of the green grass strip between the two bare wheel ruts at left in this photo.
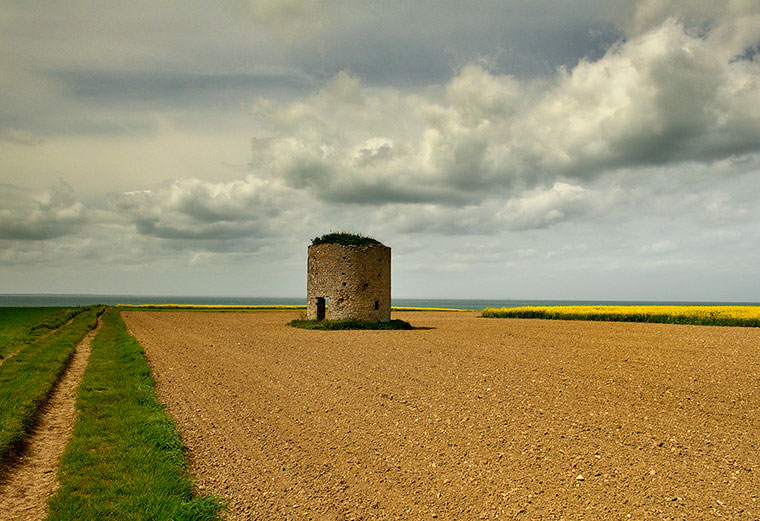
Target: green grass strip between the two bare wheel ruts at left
(27, 378)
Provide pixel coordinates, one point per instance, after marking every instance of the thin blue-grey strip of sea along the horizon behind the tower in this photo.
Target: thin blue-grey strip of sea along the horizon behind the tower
(84, 299)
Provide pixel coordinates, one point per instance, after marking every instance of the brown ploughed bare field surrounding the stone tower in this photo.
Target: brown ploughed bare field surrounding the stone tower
(469, 418)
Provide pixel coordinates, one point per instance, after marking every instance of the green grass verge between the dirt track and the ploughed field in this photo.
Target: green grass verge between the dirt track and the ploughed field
(125, 459)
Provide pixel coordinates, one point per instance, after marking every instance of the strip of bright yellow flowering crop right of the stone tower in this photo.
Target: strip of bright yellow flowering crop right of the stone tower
(696, 315)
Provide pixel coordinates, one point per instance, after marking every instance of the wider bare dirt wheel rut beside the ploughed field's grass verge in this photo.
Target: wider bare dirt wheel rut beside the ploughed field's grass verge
(26, 487)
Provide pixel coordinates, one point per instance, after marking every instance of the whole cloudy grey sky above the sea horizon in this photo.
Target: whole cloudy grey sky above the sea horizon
(526, 149)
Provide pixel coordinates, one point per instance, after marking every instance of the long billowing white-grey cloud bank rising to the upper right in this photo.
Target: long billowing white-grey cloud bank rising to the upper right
(663, 97)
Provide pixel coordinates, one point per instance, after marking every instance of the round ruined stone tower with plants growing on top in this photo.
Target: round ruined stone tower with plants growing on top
(349, 277)
